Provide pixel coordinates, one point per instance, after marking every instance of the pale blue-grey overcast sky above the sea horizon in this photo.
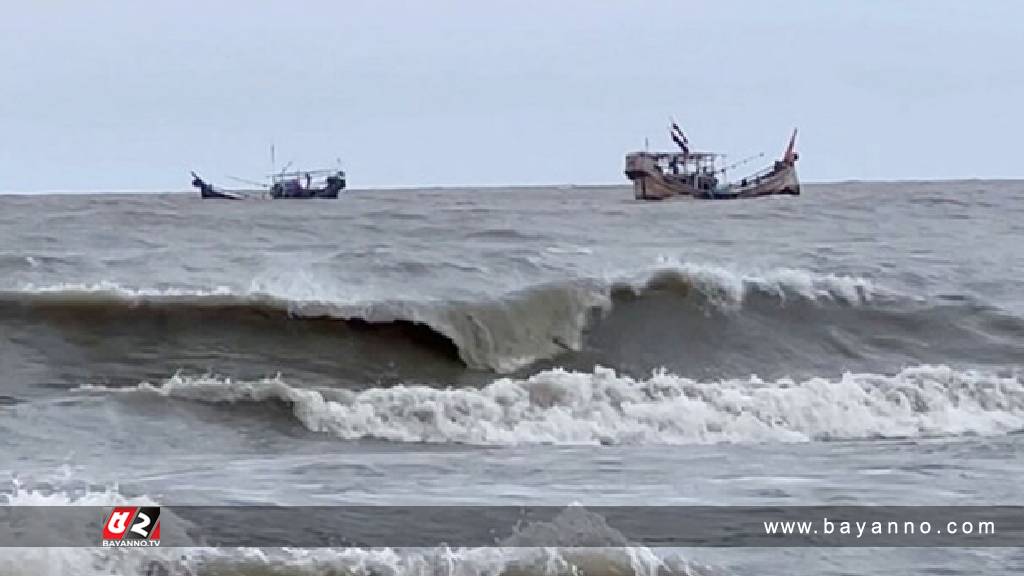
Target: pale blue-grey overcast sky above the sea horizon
(132, 96)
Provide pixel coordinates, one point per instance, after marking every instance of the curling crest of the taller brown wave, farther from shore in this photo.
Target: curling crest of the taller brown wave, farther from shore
(502, 335)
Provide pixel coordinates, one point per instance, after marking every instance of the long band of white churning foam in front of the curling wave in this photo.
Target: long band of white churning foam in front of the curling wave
(603, 407)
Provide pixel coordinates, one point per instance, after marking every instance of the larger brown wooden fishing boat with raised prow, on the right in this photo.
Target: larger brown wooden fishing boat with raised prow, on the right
(666, 175)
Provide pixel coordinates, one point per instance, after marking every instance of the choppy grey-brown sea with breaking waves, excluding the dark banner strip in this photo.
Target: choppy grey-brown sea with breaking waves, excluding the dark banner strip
(862, 344)
